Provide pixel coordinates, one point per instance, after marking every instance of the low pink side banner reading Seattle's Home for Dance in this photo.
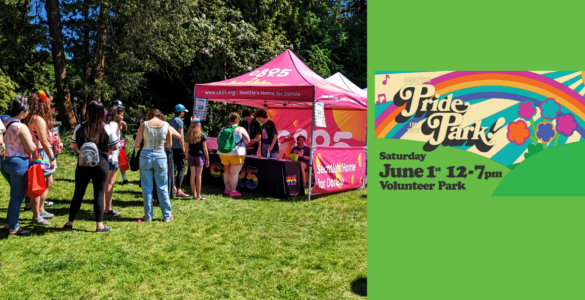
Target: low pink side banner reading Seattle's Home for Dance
(338, 169)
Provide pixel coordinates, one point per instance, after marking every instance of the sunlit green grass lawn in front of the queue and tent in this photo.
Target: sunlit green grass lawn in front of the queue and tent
(252, 248)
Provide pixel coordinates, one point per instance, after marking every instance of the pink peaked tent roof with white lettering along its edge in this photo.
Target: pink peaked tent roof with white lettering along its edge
(284, 81)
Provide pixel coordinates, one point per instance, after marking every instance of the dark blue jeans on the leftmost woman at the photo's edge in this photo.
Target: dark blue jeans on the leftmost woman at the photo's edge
(15, 170)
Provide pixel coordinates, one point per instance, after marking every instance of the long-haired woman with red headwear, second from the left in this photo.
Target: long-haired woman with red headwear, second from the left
(40, 123)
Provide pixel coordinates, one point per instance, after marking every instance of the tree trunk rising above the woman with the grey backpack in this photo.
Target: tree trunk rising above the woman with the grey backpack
(100, 49)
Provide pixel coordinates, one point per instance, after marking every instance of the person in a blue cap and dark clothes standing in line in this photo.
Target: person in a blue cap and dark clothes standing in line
(178, 149)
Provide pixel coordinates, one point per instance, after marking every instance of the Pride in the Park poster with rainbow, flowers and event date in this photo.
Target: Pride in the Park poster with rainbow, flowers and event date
(521, 131)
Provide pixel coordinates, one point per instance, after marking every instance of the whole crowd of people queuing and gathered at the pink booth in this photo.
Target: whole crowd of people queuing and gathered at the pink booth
(27, 138)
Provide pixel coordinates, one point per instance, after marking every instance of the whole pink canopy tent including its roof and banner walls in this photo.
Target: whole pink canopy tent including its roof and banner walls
(287, 84)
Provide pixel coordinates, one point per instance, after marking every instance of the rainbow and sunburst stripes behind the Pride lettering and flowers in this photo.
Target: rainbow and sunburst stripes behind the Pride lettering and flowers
(492, 95)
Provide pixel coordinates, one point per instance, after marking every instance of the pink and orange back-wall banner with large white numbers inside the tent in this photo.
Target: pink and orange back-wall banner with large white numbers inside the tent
(345, 127)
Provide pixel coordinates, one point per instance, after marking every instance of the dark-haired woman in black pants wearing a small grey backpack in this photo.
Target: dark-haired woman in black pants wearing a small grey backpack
(92, 130)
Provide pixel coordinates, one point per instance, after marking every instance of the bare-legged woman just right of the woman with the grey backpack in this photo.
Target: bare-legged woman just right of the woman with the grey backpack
(114, 121)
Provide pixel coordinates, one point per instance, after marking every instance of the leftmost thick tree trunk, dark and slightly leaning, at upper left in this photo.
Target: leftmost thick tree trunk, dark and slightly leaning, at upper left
(59, 63)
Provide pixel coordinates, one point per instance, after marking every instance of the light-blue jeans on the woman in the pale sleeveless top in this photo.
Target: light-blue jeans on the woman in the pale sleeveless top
(154, 169)
